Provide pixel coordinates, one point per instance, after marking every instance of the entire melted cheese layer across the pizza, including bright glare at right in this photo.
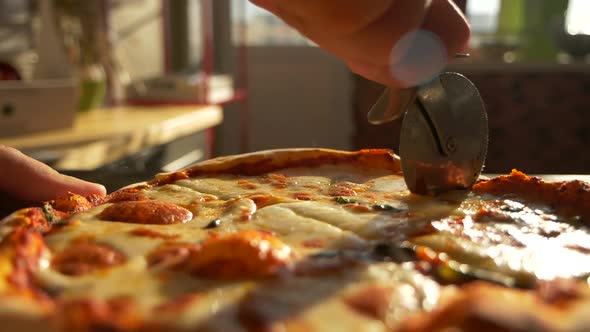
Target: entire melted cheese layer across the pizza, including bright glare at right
(319, 225)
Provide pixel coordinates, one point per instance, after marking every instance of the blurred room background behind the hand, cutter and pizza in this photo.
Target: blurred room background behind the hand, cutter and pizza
(115, 91)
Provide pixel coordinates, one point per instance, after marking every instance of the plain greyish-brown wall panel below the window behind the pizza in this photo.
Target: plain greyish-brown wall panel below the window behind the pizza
(297, 97)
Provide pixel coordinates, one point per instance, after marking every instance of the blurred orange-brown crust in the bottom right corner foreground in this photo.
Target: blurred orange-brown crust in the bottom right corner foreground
(484, 307)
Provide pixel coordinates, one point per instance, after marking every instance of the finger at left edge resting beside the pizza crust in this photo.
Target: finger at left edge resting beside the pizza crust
(29, 179)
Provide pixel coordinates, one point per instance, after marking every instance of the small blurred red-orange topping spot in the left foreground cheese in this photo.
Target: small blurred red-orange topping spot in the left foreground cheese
(84, 258)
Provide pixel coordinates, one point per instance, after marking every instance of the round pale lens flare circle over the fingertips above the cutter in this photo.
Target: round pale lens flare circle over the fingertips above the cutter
(418, 57)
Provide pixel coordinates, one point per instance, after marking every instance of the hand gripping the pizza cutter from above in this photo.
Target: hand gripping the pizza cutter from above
(366, 34)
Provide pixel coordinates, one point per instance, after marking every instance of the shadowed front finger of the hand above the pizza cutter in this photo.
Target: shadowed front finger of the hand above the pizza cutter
(357, 31)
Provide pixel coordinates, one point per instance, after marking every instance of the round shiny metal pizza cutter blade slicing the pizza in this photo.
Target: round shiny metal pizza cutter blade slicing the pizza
(444, 136)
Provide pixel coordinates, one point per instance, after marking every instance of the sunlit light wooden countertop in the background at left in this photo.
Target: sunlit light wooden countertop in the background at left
(105, 135)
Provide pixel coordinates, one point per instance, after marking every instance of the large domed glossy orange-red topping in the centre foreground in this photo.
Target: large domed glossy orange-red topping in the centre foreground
(243, 255)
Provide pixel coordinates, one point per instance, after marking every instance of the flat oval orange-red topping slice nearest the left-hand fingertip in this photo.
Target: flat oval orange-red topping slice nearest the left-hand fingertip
(146, 212)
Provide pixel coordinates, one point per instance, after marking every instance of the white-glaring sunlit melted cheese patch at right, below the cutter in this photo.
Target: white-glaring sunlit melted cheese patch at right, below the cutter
(519, 241)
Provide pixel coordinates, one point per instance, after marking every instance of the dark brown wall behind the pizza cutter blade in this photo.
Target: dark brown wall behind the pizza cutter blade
(539, 116)
